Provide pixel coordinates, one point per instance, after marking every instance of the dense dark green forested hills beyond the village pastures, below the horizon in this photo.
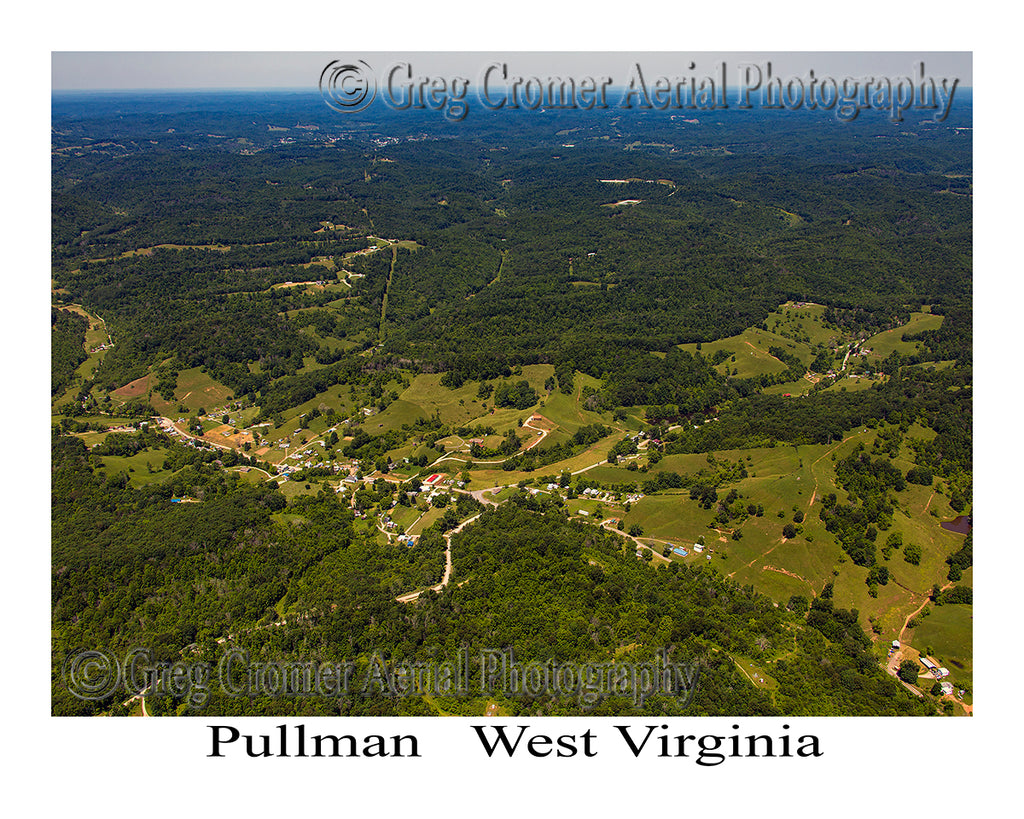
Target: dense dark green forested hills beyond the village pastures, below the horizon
(522, 257)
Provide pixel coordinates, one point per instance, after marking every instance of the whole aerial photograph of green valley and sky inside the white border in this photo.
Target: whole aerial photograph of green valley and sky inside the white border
(513, 385)
